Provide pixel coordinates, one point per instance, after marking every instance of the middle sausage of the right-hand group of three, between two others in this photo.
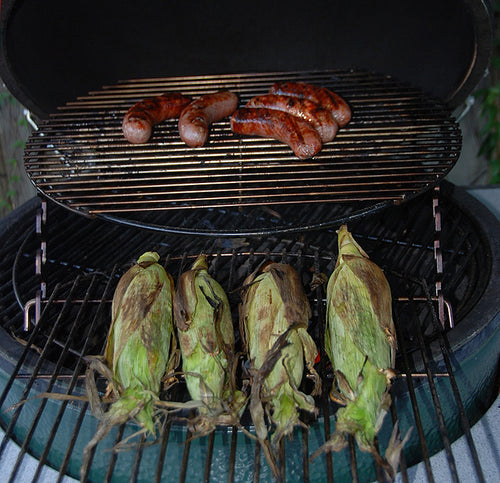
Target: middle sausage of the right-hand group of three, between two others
(321, 119)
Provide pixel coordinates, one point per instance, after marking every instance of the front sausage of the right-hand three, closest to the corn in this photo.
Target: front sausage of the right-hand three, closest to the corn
(297, 133)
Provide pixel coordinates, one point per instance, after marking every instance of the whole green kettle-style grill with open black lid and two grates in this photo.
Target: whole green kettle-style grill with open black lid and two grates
(383, 174)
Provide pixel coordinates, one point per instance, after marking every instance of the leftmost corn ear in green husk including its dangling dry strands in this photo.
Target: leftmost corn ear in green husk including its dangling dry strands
(140, 349)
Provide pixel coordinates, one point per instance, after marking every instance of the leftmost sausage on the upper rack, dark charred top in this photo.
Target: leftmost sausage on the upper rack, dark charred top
(142, 116)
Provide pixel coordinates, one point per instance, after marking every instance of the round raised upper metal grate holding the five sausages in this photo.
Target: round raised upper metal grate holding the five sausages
(399, 143)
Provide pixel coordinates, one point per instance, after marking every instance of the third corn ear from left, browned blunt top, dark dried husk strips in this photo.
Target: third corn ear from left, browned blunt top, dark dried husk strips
(274, 316)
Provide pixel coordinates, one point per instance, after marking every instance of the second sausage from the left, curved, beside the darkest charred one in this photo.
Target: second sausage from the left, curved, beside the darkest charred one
(196, 118)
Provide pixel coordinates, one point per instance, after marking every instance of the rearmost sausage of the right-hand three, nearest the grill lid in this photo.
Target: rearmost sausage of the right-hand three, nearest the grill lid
(320, 95)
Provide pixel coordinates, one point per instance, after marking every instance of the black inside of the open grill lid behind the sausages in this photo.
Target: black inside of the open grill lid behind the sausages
(53, 51)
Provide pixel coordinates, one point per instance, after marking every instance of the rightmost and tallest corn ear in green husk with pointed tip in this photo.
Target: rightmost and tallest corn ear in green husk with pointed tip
(360, 341)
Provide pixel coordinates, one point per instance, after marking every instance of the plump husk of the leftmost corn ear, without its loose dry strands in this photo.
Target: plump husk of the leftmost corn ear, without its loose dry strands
(139, 342)
